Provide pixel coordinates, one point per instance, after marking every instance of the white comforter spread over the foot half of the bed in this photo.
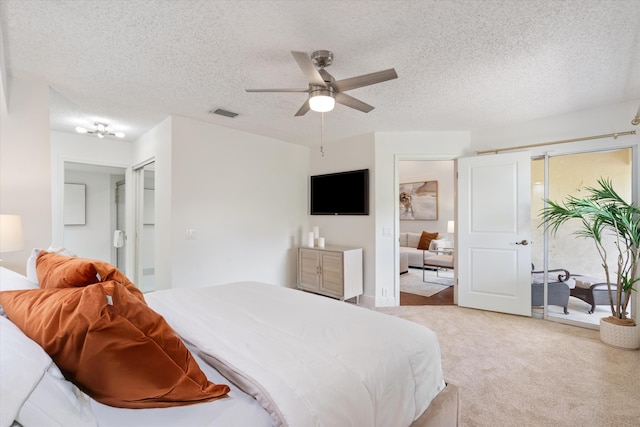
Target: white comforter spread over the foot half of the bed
(309, 360)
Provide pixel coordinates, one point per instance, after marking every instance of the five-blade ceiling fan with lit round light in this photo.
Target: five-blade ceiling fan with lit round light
(324, 91)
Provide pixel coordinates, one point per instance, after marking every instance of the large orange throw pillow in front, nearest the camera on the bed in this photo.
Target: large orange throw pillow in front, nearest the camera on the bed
(111, 345)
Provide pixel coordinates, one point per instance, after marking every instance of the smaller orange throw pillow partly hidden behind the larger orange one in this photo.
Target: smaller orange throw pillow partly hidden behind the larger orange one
(60, 271)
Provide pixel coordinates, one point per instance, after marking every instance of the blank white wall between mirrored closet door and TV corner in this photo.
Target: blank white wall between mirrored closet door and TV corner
(245, 197)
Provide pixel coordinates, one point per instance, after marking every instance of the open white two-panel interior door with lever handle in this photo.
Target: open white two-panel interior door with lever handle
(494, 229)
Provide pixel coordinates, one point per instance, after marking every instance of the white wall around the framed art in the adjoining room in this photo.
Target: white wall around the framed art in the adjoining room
(431, 170)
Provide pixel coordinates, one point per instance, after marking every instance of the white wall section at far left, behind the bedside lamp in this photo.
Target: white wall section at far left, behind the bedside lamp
(25, 172)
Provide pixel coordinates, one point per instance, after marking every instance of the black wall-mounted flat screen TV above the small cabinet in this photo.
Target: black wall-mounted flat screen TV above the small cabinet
(342, 193)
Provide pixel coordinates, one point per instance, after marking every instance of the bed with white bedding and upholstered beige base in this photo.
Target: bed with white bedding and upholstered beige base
(288, 358)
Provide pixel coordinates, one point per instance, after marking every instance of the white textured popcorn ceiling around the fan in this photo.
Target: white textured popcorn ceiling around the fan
(462, 65)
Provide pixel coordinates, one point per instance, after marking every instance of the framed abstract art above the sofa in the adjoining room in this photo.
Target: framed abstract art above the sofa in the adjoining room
(419, 200)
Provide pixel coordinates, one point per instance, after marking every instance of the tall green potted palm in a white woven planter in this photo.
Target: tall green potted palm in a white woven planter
(602, 213)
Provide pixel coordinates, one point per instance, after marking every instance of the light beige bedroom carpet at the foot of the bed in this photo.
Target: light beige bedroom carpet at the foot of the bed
(518, 371)
